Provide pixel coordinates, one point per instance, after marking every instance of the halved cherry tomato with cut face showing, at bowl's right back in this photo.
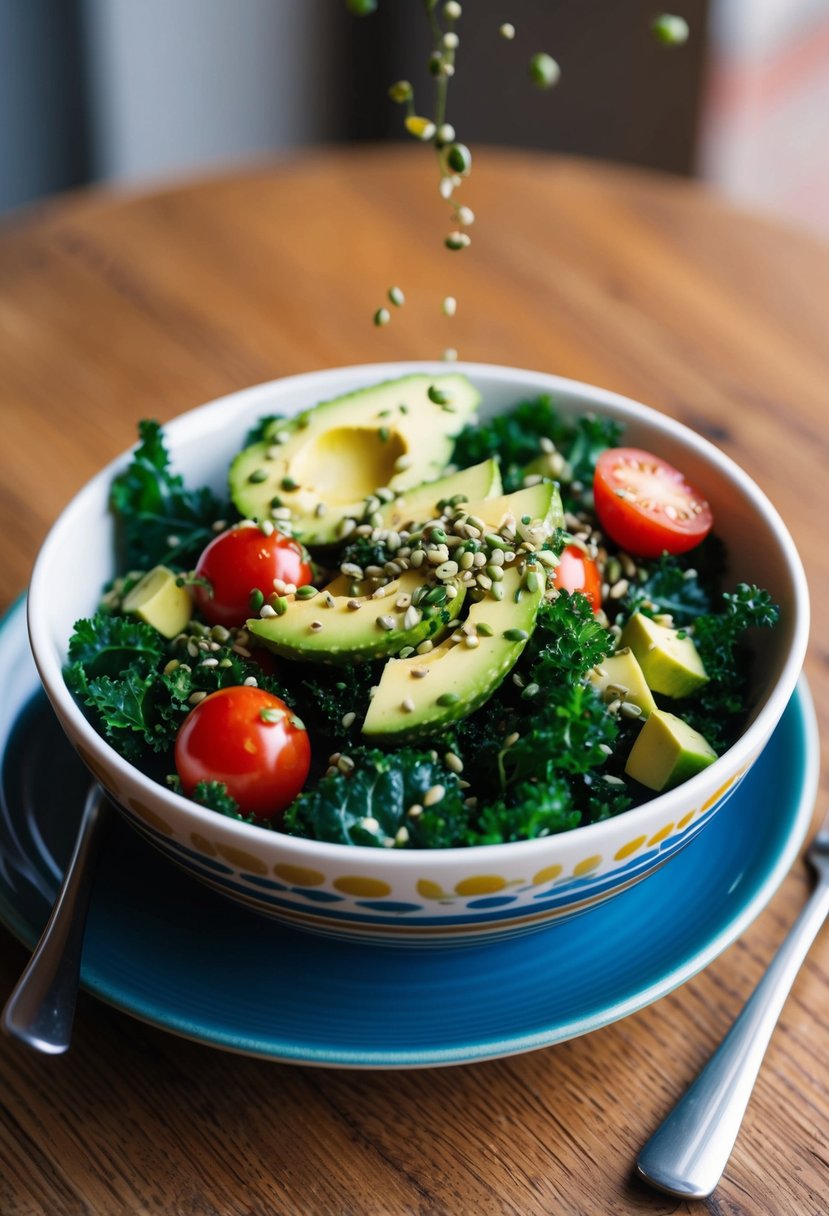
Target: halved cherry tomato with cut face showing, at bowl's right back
(646, 505)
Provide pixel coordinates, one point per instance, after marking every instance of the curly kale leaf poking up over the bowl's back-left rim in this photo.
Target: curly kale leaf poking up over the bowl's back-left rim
(160, 521)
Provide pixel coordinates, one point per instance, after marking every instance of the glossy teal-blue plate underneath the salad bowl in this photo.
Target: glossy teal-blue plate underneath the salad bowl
(168, 950)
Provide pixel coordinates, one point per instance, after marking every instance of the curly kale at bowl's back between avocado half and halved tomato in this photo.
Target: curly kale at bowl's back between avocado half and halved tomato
(515, 440)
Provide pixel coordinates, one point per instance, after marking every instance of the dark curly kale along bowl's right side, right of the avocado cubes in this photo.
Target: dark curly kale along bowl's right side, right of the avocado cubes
(719, 710)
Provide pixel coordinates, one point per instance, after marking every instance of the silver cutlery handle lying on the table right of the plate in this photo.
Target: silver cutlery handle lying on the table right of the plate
(690, 1151)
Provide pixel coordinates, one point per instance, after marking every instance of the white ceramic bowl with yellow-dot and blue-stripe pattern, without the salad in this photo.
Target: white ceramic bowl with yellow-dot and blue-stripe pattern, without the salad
(421, 896)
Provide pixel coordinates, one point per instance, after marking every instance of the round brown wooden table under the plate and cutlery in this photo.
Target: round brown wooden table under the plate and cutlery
(117, 307)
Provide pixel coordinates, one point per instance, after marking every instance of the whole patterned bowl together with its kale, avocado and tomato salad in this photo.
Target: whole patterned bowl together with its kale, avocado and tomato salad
(424, 652)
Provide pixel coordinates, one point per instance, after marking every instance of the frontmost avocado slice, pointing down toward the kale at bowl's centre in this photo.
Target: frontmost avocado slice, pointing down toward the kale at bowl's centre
(407, 703)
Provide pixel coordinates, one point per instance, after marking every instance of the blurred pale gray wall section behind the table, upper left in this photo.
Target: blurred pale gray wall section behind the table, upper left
(183, 86)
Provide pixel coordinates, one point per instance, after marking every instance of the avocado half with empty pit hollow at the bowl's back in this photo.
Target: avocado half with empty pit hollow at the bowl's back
(324, 464)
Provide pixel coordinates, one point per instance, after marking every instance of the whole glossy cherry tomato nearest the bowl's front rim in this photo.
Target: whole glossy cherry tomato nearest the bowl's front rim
(252, 742)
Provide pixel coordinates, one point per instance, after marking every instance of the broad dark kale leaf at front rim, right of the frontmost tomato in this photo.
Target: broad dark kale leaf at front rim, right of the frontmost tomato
(370, 806)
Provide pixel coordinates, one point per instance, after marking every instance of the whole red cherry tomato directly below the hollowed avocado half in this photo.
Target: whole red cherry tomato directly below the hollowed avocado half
(241, 561)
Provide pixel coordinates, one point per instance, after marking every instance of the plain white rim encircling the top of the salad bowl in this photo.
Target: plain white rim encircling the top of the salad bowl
(518, 380)
